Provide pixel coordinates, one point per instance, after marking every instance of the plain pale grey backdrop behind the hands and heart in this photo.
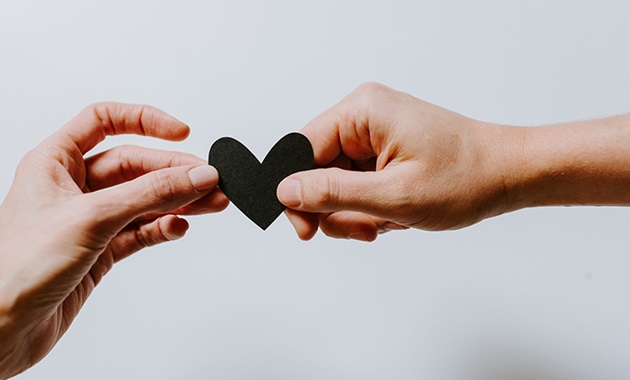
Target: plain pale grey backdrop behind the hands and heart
(539, 294)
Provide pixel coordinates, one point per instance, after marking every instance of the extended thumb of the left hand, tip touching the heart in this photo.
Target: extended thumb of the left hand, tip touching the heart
(159, 191)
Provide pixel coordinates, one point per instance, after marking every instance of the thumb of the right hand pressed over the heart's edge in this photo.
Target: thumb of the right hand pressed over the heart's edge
(334, 189)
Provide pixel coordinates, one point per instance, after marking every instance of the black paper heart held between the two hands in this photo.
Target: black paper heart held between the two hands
(250, 185)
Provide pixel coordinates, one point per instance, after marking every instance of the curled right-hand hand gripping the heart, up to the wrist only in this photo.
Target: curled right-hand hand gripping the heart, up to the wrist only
(389, 161)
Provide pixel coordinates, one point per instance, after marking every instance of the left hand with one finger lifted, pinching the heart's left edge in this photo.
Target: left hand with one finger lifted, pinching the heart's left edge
(65, 223)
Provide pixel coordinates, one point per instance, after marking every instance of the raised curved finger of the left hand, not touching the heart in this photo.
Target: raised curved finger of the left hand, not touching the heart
(100, 120)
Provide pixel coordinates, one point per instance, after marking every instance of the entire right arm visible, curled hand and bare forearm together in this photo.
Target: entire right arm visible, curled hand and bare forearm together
(389, 161)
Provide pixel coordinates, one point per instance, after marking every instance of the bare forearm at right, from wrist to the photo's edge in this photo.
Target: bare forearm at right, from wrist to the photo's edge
(578, 163)
